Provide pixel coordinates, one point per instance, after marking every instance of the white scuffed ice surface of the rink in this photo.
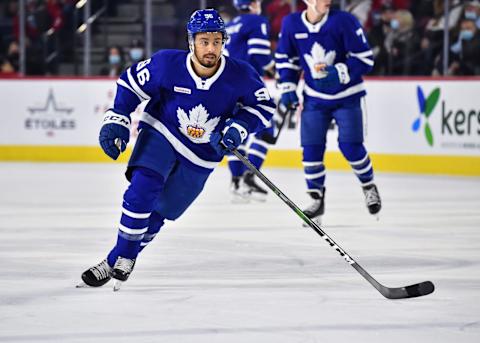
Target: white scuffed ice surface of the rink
(239, 273)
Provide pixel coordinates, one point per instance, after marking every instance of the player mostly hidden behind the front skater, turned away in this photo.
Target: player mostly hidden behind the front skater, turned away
(249, 41)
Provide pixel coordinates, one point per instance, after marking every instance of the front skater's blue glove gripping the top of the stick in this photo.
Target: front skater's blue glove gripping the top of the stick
(234, 133)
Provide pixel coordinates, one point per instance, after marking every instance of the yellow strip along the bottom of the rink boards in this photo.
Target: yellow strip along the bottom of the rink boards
(418, 164)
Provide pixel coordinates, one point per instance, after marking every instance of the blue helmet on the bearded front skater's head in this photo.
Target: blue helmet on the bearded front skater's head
(207, 20)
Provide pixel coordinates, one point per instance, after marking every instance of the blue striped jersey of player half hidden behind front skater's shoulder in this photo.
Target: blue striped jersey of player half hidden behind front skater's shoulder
(249, 41)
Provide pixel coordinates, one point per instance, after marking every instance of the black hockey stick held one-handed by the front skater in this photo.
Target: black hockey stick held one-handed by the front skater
(416, 290)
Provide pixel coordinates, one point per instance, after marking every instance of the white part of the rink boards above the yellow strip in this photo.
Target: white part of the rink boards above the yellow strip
(69, 112)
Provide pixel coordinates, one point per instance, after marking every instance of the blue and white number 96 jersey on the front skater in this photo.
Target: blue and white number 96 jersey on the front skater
(187, 109)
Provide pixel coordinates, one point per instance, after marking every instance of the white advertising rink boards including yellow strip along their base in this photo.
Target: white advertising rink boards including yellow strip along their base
(412, 125)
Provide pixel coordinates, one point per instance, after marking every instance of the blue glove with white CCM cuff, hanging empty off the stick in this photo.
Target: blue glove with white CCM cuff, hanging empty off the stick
(114, 134)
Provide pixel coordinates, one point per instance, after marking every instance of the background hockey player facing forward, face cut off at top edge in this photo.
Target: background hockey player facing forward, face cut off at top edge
(329, 46)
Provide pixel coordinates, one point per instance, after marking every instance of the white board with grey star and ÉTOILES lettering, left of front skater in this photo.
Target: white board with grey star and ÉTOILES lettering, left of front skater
(53, 112)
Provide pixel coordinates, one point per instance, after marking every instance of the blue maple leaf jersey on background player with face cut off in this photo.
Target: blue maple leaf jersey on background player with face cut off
(337, 38)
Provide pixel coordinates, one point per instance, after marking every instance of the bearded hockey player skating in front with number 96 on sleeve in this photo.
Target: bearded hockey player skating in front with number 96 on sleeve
(187, 123)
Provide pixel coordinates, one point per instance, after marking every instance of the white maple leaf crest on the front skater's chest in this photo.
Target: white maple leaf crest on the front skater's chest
(196, 126)
